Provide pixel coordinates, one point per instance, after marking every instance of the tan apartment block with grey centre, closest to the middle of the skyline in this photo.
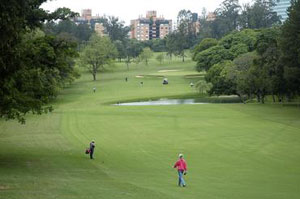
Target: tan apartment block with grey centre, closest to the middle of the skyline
(151, 27)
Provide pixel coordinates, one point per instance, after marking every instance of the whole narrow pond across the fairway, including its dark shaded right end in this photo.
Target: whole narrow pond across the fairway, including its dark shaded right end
(174, 102)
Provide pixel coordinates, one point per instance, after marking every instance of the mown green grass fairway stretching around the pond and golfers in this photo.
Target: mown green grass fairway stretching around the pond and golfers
(233, 151)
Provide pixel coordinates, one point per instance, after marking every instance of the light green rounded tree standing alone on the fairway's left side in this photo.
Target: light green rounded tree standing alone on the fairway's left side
(99, 52)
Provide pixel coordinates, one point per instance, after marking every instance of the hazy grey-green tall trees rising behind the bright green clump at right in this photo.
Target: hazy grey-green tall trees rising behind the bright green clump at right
(231, 16)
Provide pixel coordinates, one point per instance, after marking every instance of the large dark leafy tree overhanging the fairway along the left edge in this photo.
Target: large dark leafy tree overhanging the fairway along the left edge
(27, 66)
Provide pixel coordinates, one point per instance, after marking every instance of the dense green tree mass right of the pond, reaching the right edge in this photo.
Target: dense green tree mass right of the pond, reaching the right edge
(254, 62)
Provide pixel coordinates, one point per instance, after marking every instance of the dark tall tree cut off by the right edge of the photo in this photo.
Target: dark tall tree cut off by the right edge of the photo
(290, 47)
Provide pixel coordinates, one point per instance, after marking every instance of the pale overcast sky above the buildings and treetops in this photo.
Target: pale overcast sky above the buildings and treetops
(131, 9)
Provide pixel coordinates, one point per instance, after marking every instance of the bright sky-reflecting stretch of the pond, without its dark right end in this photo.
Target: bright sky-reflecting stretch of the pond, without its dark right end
(161, 102)
